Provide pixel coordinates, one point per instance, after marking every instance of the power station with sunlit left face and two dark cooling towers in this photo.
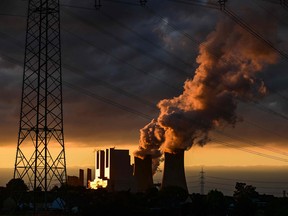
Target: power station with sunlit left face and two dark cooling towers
(114, 171)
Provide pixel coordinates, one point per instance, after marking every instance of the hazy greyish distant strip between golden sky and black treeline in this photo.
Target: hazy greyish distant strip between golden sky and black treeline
(267, 180)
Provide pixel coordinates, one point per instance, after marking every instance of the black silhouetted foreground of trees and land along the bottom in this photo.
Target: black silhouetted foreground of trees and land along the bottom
(16, 200)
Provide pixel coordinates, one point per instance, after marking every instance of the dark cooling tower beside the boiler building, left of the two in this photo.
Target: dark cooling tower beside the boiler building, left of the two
(143, 173)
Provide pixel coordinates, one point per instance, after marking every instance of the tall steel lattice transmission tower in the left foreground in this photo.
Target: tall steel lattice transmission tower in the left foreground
(41, 117)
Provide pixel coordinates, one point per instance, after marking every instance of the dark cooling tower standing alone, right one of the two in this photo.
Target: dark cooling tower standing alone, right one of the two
(174, 173)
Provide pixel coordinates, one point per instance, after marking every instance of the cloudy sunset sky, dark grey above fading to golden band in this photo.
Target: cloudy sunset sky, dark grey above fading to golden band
(120, 62)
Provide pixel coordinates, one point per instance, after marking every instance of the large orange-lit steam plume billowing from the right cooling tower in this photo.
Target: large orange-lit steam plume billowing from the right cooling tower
(209, 99)
